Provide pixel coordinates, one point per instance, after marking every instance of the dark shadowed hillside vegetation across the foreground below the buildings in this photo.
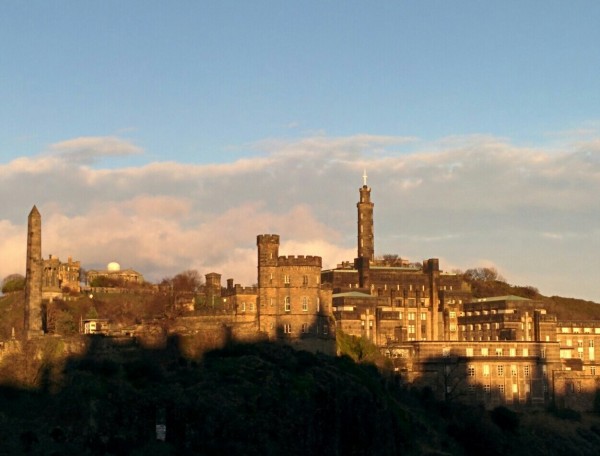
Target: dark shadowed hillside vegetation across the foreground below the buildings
(260, 399)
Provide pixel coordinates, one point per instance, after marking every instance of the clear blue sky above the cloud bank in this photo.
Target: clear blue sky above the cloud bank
(198, 81)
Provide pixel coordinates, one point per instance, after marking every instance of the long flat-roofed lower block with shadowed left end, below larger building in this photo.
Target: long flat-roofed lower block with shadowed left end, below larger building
(492, 373)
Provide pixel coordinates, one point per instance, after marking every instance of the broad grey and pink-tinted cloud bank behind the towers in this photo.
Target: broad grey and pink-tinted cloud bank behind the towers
(470, 201)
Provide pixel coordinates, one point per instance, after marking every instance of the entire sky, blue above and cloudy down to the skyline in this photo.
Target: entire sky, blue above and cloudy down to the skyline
(167, 135)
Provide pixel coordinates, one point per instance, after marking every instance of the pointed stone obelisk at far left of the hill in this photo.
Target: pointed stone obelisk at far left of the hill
(33, 277)
